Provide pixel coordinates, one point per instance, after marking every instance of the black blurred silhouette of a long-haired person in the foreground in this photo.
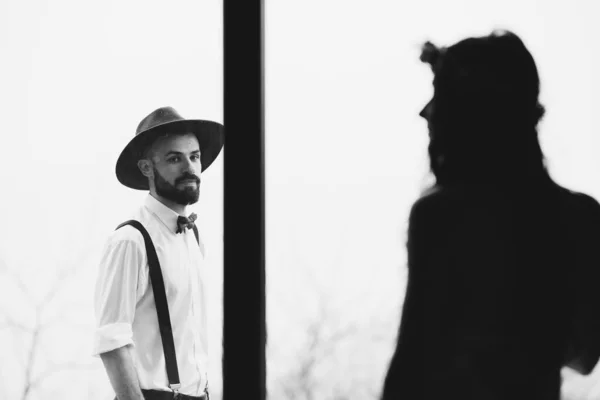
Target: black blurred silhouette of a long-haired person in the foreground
(502, 262)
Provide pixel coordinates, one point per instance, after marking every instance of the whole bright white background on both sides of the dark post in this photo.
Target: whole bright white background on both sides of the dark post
(345, 159)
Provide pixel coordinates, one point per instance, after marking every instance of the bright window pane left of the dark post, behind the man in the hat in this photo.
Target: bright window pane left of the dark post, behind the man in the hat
(77, 79)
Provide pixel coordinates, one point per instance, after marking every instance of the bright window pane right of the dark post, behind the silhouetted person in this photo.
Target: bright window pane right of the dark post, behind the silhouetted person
(346, 158)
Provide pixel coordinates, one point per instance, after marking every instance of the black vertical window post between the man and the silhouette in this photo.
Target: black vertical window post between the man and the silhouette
(244, 324)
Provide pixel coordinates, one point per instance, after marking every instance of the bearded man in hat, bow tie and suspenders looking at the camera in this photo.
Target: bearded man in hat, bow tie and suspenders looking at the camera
(150, 292)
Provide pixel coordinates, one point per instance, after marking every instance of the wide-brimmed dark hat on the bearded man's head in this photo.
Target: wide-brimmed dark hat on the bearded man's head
(162, 121)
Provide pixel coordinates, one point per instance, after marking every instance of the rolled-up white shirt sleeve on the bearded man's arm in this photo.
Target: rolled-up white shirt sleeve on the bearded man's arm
(115, 294)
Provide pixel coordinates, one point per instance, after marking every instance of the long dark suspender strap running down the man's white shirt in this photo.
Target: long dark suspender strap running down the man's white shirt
(162, 308)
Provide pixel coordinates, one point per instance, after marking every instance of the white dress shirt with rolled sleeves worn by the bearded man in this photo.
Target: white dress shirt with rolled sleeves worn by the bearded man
(124, 301)
